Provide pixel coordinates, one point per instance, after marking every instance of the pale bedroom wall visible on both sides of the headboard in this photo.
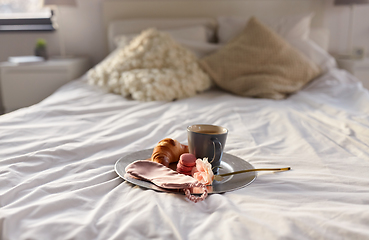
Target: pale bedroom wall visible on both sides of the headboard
(84, 34)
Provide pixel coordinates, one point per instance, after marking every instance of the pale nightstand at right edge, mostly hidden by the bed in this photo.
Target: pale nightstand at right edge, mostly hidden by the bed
(357, 67)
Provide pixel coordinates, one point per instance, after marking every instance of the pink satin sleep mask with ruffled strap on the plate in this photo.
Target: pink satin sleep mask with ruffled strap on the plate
(165, 177)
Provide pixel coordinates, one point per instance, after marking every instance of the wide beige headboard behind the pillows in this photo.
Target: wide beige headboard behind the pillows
(123, 9)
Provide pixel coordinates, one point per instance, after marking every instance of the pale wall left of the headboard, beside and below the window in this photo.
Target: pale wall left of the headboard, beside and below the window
(82, 28)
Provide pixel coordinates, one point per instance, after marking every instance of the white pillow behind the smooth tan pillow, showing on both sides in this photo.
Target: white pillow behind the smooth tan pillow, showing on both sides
(294, 29)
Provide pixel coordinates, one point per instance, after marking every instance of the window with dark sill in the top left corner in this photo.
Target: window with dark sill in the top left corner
(24, 15)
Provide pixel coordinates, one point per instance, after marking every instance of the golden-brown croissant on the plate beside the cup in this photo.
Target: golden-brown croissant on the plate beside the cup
(167, 151)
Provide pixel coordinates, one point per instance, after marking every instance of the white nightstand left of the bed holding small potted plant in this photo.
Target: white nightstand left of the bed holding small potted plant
(23, 85)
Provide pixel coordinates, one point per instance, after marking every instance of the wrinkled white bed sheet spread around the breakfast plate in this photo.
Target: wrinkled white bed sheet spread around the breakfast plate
(57, 178)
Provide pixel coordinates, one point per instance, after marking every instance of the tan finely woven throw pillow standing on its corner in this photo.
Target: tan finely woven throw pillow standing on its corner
(259, 63)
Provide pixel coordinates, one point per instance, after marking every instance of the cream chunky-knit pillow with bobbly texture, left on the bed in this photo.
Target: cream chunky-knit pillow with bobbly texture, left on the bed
(152, 67)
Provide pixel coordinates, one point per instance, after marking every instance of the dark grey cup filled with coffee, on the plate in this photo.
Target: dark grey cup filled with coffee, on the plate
(207, 141)
